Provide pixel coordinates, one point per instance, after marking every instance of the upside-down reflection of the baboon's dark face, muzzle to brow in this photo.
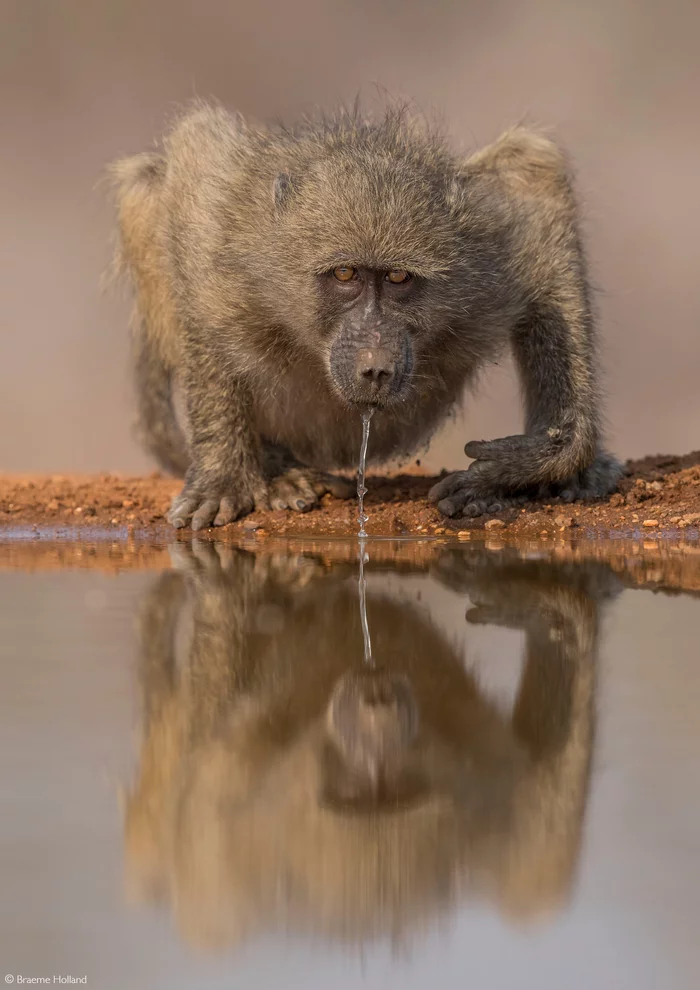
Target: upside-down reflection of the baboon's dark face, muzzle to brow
(371, 724)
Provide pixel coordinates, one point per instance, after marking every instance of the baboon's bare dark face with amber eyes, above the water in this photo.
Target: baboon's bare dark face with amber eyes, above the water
(371, 355)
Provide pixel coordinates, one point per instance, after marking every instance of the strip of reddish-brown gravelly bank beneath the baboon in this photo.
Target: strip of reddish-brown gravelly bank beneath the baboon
(659, 496)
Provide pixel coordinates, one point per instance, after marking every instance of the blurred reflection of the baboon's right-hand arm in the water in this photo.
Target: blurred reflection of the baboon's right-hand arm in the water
(553, 718)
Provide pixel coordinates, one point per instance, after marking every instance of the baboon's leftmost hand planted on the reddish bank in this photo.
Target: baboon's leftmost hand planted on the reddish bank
(216, 503)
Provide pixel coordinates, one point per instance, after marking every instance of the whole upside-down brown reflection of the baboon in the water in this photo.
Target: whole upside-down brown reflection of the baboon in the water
(282, 787)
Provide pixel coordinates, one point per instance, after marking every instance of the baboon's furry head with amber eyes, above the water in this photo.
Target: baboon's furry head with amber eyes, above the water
(371, 244)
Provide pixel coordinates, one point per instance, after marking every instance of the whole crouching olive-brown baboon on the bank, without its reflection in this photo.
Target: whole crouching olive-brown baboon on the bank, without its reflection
(287, 278)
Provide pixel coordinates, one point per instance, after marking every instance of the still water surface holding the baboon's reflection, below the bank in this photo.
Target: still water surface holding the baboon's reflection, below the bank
(205, 785)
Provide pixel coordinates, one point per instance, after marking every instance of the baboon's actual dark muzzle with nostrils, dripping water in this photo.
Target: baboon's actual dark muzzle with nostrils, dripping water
(371, 372)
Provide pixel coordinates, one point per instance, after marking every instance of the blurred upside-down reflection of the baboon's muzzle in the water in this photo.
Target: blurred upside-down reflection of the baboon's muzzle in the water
(373, 719)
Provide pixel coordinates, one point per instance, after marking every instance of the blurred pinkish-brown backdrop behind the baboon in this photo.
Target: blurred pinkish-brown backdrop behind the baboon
(85, 81)
